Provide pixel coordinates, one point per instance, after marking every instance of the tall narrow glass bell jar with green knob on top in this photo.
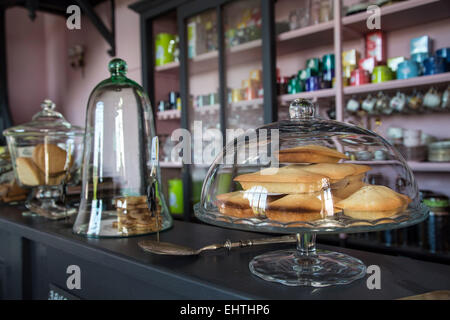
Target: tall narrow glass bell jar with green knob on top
(121, 192)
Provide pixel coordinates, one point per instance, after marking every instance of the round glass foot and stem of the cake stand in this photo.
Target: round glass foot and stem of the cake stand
(306, 266)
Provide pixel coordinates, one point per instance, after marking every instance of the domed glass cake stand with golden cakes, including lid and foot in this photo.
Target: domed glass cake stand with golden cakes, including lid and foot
(306, 176)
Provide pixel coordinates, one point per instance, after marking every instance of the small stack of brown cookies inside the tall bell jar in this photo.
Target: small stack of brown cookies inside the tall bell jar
(134, 216)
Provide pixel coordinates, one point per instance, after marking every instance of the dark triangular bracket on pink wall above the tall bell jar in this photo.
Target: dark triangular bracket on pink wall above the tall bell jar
(109, 36)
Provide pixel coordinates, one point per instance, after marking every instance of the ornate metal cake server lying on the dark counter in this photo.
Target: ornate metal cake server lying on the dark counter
(166, 248)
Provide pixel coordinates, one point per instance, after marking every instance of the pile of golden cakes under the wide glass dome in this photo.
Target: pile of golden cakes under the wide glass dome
(313, 186)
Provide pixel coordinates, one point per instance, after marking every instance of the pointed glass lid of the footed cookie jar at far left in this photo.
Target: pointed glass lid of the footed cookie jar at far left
(45, 122)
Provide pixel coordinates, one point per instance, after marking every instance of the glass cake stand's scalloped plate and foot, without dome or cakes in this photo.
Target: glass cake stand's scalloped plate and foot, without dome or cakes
(305, 265)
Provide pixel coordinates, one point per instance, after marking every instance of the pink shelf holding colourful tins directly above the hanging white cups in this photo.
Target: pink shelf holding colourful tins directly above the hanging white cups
(399, 84)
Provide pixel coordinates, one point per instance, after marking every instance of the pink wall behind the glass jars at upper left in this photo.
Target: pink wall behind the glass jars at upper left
(38, 65)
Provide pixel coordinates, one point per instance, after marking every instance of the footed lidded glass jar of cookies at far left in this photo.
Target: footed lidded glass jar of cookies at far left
(46, 156)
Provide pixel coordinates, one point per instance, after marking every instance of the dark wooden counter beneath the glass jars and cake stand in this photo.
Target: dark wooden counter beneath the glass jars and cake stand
(35, 254)
